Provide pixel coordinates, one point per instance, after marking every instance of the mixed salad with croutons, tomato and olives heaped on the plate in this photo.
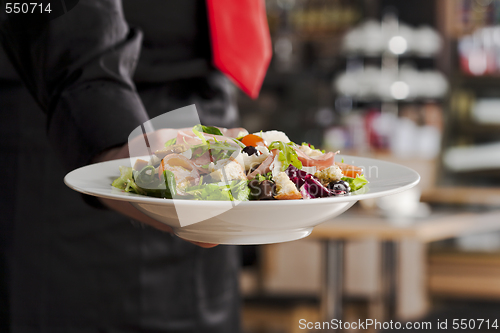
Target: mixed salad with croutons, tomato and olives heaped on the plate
(210, 163)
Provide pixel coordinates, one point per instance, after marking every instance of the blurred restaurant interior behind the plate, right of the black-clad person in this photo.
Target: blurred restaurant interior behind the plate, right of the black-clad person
(416, 82)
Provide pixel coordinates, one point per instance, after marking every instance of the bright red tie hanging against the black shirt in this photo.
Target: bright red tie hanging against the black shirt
(241, 44)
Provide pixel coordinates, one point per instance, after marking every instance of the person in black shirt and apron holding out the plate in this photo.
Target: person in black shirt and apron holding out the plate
(97, 72)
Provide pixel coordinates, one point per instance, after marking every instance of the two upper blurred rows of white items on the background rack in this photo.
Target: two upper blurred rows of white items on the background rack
(395, 77)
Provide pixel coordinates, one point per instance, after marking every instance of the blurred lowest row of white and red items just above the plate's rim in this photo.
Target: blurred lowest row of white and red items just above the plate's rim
(405, 131)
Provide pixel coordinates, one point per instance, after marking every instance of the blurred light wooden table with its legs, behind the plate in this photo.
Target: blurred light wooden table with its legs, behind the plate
(358, 224)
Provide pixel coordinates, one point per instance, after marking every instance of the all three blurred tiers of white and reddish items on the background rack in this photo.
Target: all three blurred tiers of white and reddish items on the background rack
(383, 101)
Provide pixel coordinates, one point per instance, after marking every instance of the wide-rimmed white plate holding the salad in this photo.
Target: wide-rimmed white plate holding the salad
(250, 222)
